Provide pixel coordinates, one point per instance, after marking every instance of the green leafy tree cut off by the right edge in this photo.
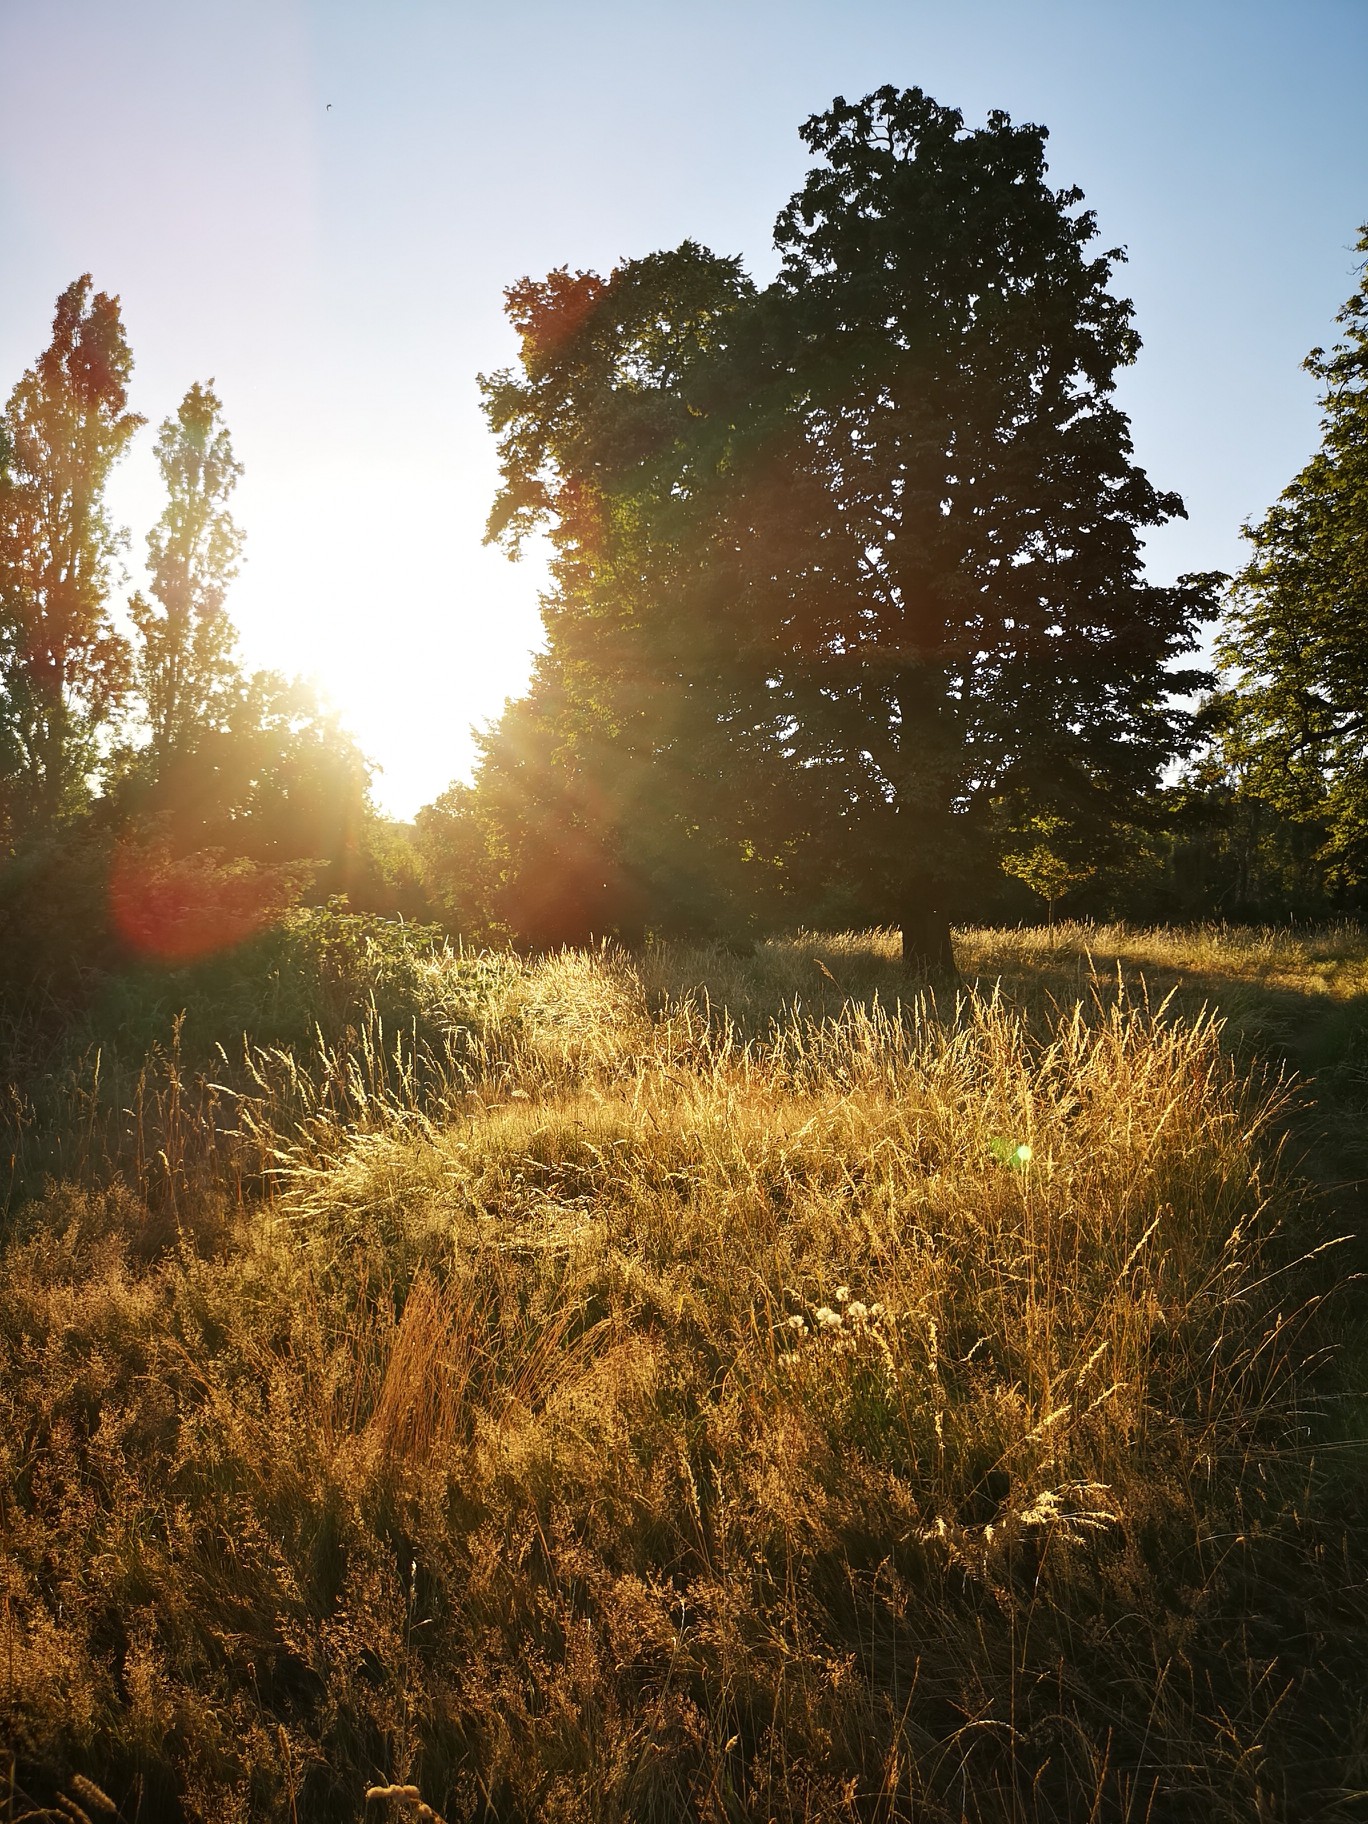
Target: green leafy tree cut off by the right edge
(1296, 641)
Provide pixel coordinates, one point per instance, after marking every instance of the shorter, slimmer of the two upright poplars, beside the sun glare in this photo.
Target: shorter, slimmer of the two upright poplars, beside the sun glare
(185, 663)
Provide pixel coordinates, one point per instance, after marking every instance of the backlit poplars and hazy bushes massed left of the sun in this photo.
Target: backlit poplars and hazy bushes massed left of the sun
(158, 803)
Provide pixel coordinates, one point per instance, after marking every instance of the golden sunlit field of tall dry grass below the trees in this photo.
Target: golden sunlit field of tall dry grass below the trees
(703, 1387)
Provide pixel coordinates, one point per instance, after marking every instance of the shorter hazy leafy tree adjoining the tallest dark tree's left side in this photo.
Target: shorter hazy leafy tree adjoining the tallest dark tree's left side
(627, 787)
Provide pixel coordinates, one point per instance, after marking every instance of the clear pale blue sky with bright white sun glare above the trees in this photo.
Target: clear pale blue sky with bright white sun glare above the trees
(320, 205)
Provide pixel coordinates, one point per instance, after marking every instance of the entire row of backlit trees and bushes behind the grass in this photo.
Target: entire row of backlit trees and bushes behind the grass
(847, 623)
